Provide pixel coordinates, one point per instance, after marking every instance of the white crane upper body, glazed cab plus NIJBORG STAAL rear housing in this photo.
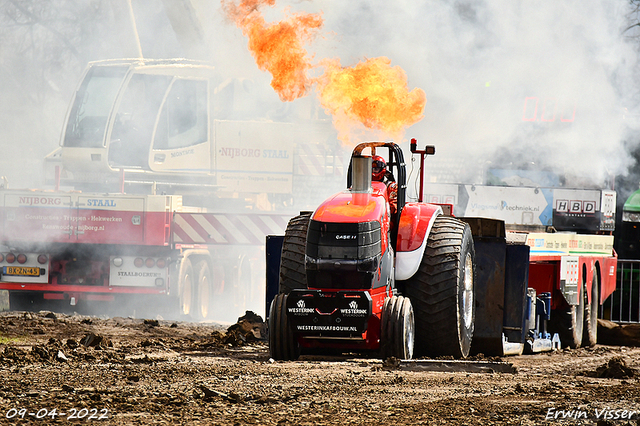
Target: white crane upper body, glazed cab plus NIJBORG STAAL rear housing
(175, 126)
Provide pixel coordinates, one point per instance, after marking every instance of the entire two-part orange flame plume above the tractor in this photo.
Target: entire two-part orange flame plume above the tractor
(372, 93)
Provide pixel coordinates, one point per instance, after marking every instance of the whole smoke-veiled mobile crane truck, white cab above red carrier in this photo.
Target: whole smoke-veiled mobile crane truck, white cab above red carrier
(166, 181)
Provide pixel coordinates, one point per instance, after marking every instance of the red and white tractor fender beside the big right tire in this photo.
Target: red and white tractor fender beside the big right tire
(415, 224)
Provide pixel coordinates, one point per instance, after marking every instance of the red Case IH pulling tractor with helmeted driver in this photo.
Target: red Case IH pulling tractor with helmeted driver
(364, 272)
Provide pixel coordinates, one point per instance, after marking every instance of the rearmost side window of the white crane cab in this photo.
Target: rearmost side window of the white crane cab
(183, 121)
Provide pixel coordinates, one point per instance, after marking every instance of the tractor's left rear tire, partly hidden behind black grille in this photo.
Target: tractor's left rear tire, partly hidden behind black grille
(294, 245)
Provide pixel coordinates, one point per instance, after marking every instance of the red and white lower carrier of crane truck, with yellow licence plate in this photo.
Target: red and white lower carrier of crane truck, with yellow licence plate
(76, 247)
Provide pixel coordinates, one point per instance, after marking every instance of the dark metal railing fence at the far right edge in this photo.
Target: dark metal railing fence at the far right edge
(623, 306)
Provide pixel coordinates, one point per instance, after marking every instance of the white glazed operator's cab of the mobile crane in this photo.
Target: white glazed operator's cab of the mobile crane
(139, 115)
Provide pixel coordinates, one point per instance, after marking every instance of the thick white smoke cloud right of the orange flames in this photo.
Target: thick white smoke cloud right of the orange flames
(503, 77)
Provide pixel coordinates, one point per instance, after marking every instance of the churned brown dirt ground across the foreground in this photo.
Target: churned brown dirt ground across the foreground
(60, 369)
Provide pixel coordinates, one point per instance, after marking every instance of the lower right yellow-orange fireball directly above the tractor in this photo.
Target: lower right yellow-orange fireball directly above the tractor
(372, 93)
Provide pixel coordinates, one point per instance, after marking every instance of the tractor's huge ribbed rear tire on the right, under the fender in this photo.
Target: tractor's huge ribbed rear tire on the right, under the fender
(442, 291)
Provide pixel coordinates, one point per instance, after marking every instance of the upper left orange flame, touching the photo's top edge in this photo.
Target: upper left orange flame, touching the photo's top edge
(278, 48)
